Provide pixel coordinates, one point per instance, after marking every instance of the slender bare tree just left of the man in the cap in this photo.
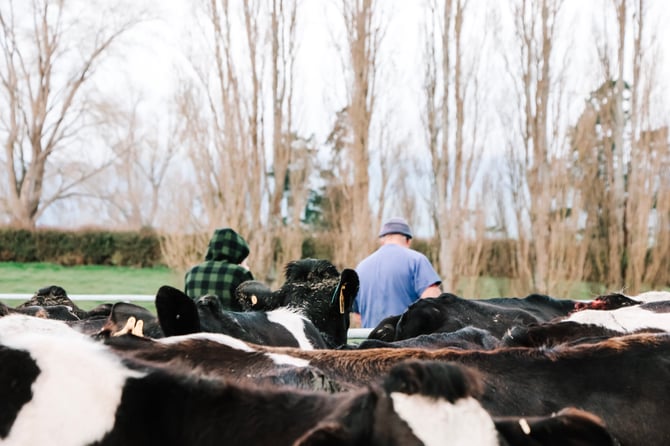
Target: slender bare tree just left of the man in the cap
(353, 216)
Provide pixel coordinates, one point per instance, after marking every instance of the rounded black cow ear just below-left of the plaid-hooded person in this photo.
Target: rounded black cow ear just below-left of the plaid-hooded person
(177, 313)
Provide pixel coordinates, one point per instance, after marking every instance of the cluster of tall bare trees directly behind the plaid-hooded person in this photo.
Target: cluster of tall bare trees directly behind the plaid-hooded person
(242, 144)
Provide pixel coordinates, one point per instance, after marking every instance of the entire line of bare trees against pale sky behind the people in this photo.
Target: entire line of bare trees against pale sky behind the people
(525, 139)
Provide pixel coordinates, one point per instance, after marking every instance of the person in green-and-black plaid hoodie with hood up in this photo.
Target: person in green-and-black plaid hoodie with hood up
(222, 271)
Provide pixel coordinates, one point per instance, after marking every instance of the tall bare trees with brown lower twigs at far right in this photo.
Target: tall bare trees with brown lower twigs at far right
(621, 145)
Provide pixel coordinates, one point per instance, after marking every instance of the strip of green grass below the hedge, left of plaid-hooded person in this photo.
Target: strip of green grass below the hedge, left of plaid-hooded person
(26, 278)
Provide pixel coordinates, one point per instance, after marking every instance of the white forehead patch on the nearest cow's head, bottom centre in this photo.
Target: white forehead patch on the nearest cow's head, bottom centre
(436, 421)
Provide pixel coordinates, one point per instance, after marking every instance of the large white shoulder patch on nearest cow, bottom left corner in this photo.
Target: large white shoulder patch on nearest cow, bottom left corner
(79, 387)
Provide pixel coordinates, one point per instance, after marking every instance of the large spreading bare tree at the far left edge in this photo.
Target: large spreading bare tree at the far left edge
(44, 76)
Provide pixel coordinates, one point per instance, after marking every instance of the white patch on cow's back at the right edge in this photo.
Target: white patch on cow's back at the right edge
(625, 319)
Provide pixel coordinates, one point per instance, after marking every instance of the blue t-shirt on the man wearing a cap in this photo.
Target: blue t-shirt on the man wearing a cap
(391, 278)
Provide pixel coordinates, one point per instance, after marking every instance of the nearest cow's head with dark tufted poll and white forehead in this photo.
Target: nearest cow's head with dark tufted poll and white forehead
(413, 396)
